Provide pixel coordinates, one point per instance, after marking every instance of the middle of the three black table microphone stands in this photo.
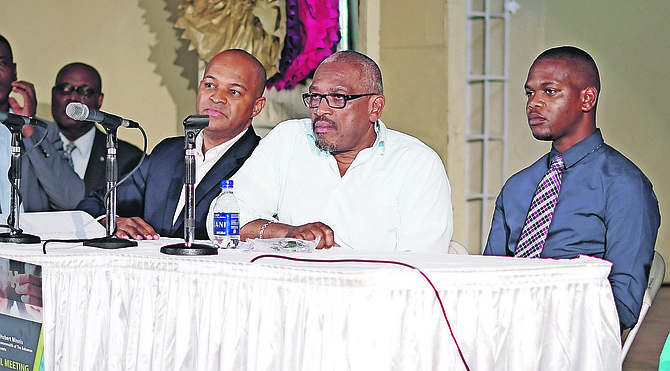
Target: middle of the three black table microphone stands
(112, 172)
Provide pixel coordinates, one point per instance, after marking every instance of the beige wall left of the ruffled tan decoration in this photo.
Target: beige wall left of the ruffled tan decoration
(131, 43)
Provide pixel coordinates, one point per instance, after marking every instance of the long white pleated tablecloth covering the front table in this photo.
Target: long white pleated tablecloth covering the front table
(137, 309)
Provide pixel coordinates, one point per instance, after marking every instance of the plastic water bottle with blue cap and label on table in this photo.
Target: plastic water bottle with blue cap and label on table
(226, 213)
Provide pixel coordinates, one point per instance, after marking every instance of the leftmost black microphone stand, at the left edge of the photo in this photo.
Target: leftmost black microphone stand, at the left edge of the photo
(16, 235)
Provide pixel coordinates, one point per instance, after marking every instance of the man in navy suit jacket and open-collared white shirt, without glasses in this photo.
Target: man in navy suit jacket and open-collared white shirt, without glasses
(151, 203)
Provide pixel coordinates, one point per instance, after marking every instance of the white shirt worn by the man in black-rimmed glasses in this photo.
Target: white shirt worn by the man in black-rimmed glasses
(394, 196)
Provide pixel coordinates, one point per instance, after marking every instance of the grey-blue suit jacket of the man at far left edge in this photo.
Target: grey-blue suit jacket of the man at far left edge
(48, 182)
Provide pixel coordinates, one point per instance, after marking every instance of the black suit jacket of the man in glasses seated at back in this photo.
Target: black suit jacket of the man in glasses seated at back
(96, 175)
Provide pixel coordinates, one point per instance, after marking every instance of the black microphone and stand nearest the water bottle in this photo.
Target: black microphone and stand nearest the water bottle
(192, 126)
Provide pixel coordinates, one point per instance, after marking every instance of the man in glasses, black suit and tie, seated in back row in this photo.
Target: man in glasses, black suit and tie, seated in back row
(79, 82)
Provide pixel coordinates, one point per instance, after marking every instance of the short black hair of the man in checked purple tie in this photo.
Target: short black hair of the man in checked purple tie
(581, 65)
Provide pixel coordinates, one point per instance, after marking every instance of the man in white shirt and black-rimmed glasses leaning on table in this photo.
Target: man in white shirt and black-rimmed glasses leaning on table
(342, 177)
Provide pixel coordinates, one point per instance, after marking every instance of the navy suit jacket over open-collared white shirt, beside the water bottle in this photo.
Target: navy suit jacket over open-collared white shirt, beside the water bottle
(152, 193)
